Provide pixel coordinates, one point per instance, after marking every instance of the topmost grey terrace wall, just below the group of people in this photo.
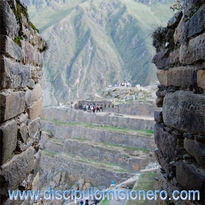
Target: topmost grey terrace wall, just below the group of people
(114, 119)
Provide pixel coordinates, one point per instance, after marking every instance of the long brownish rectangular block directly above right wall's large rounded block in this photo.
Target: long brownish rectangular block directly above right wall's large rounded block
(179, 76)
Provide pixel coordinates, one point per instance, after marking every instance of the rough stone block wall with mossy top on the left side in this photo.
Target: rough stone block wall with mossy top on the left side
(20, 98)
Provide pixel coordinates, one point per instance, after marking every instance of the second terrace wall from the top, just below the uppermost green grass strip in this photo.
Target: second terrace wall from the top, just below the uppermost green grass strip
(98, 135)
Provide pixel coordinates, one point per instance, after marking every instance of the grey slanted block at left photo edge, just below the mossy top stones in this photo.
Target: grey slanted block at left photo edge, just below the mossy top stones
(9, 48)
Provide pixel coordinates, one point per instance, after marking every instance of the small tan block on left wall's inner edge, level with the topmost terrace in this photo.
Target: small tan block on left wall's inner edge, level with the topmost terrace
(35, 110)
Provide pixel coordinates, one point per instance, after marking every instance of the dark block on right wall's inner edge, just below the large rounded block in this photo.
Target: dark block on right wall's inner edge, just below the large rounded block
(166, 143)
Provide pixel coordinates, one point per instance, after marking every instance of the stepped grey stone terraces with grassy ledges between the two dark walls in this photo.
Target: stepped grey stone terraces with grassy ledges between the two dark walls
(85, 146)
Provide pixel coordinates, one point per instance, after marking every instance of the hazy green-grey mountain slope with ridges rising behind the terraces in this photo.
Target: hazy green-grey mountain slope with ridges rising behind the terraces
(95, 43)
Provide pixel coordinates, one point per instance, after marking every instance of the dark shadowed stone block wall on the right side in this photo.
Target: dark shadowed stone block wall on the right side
(180, 127)
